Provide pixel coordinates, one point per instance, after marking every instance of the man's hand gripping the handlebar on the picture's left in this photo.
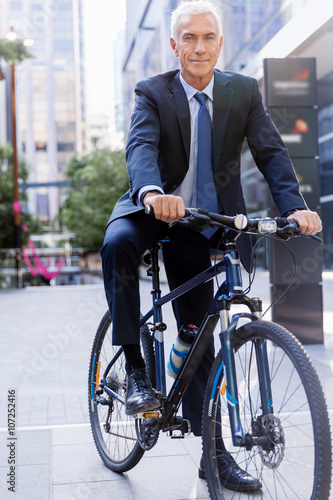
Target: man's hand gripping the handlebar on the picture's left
(167, 207)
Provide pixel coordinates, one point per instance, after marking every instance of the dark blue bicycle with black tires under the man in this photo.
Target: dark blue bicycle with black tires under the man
(263, 394)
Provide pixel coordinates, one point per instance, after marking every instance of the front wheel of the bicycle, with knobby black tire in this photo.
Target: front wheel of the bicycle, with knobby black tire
(300, 466)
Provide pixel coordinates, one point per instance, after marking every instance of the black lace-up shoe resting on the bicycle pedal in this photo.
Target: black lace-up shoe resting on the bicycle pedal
(139, 395)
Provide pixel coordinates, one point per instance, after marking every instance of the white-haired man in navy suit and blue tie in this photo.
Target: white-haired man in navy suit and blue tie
(164, 152)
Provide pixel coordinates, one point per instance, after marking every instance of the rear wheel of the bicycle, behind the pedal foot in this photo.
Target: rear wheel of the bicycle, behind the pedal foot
(113, 431)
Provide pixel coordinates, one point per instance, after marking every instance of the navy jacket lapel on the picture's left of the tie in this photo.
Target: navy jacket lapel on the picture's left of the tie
(180, 104)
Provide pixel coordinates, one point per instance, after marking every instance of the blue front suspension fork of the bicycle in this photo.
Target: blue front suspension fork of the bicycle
(231, 391)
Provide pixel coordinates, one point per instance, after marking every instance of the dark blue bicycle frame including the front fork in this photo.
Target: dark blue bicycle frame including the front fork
(230, 292)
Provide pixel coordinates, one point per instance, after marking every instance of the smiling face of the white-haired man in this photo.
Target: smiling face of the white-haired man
(198, 47)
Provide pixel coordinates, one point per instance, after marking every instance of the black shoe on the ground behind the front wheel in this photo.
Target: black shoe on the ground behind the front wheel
(231, 475)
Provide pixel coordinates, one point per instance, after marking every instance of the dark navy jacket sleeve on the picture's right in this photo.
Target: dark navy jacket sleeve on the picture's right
(271, 156)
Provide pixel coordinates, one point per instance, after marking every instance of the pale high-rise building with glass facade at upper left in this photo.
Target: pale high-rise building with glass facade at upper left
(50, 93)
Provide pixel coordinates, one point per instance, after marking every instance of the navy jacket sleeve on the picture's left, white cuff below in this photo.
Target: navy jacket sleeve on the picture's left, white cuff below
(142, 148)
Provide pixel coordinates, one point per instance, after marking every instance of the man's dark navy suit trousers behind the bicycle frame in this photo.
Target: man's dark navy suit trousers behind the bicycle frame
(185, 255)
